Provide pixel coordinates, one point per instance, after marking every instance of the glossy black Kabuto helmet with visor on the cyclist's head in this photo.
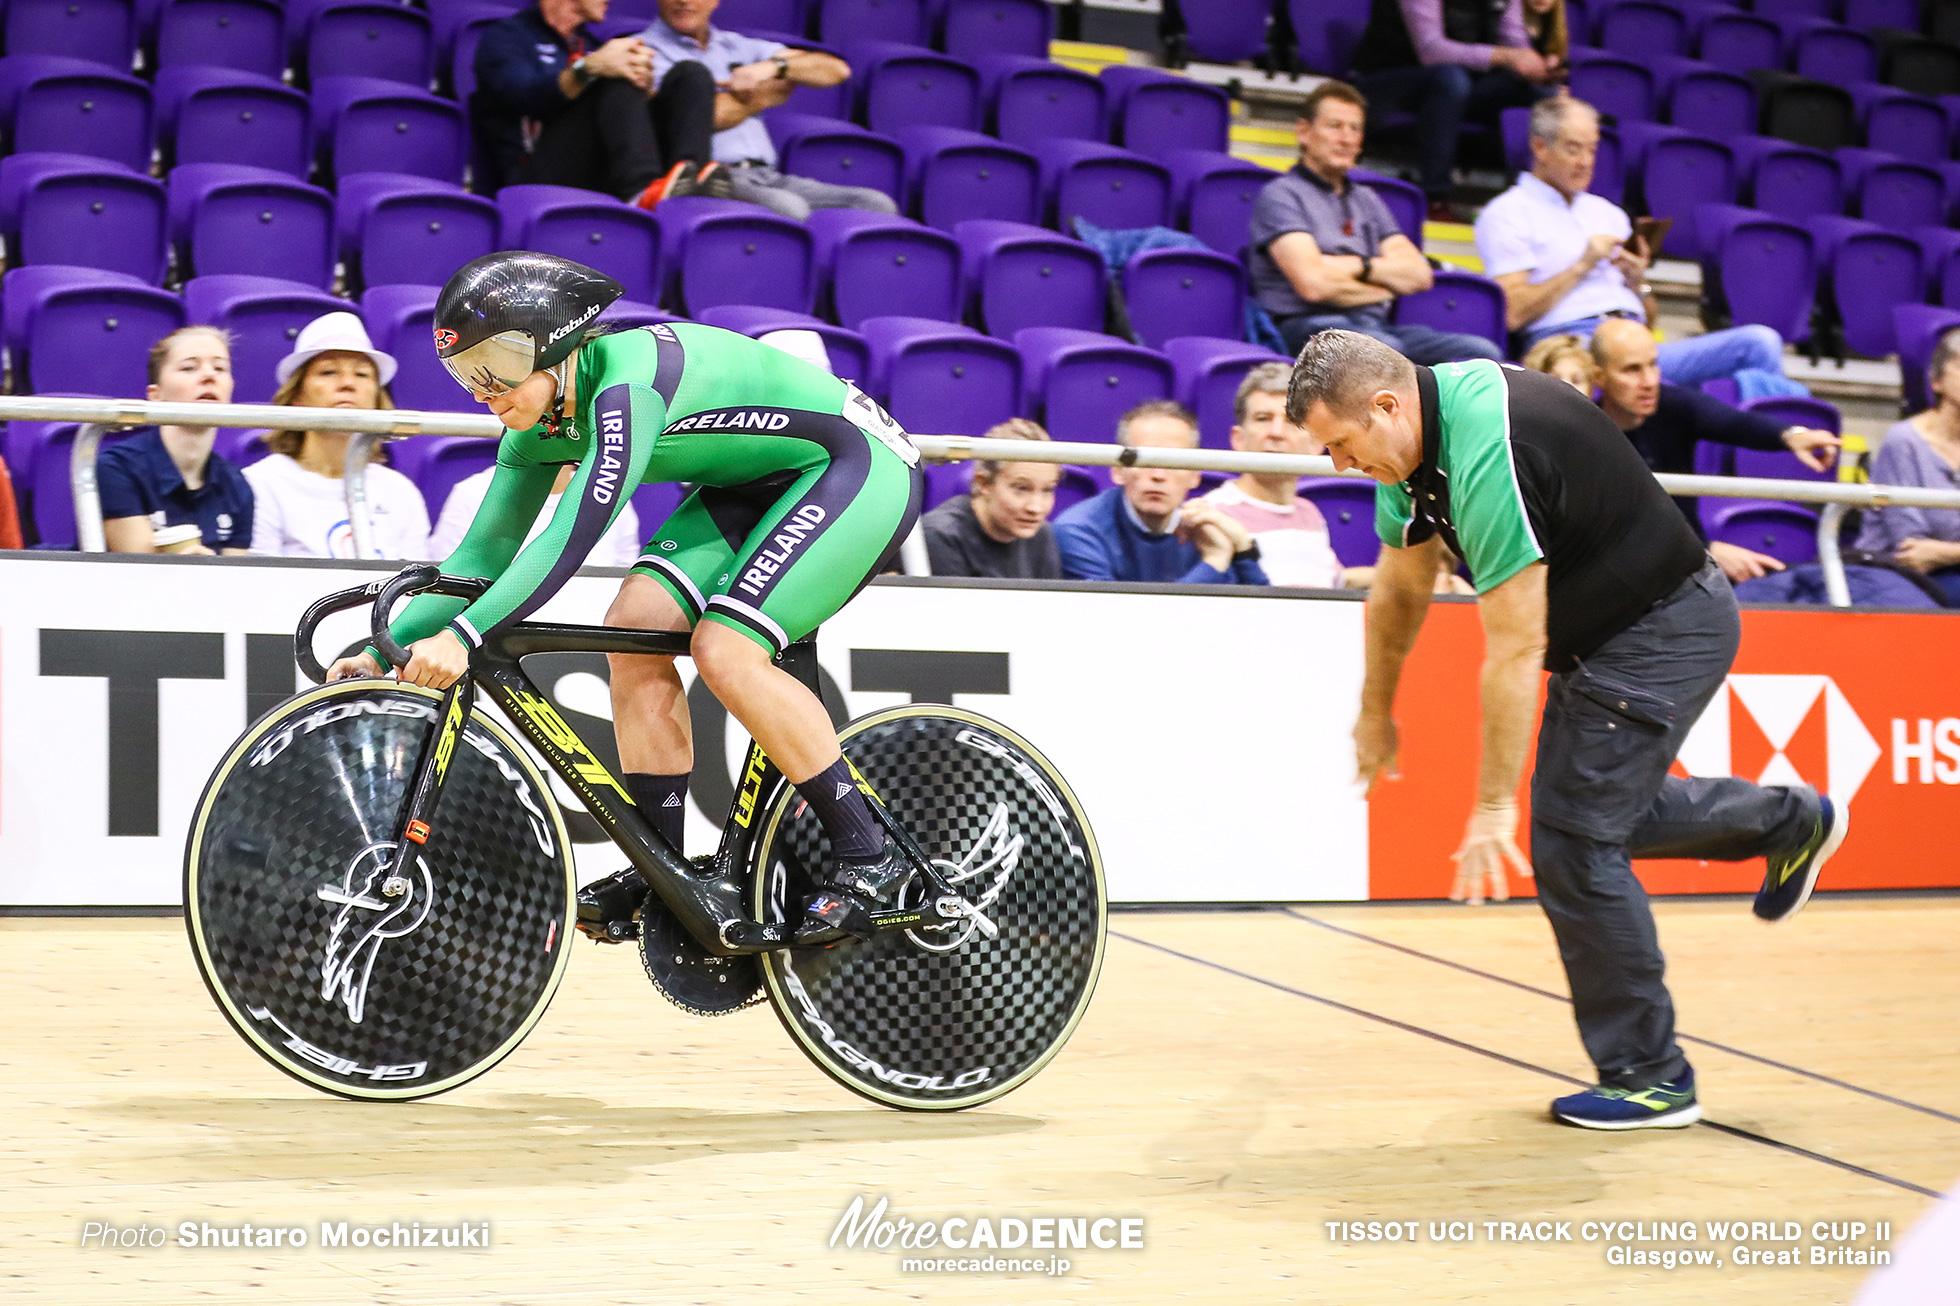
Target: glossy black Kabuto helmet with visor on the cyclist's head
(516, 313)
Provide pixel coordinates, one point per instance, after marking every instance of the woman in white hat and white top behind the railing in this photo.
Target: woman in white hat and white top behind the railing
(303, 497)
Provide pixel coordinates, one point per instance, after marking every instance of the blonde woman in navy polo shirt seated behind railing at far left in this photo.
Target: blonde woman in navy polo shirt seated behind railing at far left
(170, 477)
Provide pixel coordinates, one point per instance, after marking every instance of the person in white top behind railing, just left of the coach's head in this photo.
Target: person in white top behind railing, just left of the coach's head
(1289, 530)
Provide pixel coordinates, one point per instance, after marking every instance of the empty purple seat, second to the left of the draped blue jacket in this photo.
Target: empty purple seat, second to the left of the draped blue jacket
(875, 266)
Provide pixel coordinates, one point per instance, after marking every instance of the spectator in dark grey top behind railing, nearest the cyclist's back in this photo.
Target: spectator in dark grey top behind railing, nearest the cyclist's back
(1001, 527)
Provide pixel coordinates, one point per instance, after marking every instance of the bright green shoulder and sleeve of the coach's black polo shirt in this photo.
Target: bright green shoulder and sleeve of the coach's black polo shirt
(1487, 493)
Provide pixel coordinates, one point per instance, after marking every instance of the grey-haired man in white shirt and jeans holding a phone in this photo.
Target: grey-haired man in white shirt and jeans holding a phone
(1567, 258)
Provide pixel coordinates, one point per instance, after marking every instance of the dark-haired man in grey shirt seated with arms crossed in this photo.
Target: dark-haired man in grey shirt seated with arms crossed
(1328, 254)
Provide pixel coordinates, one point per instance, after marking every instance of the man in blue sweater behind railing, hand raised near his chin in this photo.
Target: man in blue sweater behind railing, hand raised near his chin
(1144, 530)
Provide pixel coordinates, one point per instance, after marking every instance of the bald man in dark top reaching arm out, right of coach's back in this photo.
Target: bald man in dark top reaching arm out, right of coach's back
(1665, 423)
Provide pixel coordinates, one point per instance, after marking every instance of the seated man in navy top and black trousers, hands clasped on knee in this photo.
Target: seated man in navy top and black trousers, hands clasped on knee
(556, 107)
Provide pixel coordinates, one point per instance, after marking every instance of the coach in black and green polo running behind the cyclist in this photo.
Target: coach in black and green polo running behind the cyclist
(1585, 568)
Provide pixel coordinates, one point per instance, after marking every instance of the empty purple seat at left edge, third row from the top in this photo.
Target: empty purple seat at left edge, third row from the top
(83, 213)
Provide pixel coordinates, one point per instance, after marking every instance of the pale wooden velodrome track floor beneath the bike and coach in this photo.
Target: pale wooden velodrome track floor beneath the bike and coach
(1242, 1081)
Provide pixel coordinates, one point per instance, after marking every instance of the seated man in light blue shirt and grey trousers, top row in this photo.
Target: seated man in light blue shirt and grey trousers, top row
(754, 75)
